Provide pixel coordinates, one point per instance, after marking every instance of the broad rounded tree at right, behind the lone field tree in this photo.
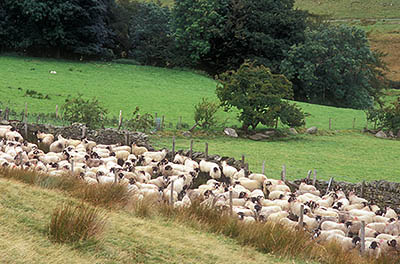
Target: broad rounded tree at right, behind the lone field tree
(335, 66)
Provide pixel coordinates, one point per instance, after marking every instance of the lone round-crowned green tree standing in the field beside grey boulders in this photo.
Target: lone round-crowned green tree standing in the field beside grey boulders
(258, 94)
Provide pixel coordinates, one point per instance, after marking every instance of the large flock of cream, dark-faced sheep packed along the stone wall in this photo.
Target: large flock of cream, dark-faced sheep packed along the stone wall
(148, 175)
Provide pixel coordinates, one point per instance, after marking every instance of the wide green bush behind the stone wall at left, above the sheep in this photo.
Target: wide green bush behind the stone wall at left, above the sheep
(89, 112)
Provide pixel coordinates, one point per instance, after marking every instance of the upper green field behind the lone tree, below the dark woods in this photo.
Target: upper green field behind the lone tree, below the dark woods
(172, 93)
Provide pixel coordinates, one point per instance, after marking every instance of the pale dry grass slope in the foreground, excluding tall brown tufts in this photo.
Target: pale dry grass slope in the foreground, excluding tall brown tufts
(25, 212)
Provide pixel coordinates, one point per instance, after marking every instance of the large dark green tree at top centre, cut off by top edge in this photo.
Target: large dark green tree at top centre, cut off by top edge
(218, 35)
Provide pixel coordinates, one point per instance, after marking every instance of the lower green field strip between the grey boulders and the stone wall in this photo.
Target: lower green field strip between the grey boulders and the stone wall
(347, 156)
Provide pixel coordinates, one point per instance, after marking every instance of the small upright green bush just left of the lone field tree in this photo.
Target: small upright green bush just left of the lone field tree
(204, 113)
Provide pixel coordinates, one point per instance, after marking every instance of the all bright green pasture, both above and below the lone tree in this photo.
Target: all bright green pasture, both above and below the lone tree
(346, 155)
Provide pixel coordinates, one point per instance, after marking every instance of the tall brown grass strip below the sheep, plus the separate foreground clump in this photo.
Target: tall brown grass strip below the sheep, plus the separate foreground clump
(265, 237)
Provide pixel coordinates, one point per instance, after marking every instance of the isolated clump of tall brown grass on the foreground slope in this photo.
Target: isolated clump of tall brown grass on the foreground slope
(72, 224)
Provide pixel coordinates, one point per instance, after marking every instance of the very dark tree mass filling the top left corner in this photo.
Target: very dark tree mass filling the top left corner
(59, 27)
